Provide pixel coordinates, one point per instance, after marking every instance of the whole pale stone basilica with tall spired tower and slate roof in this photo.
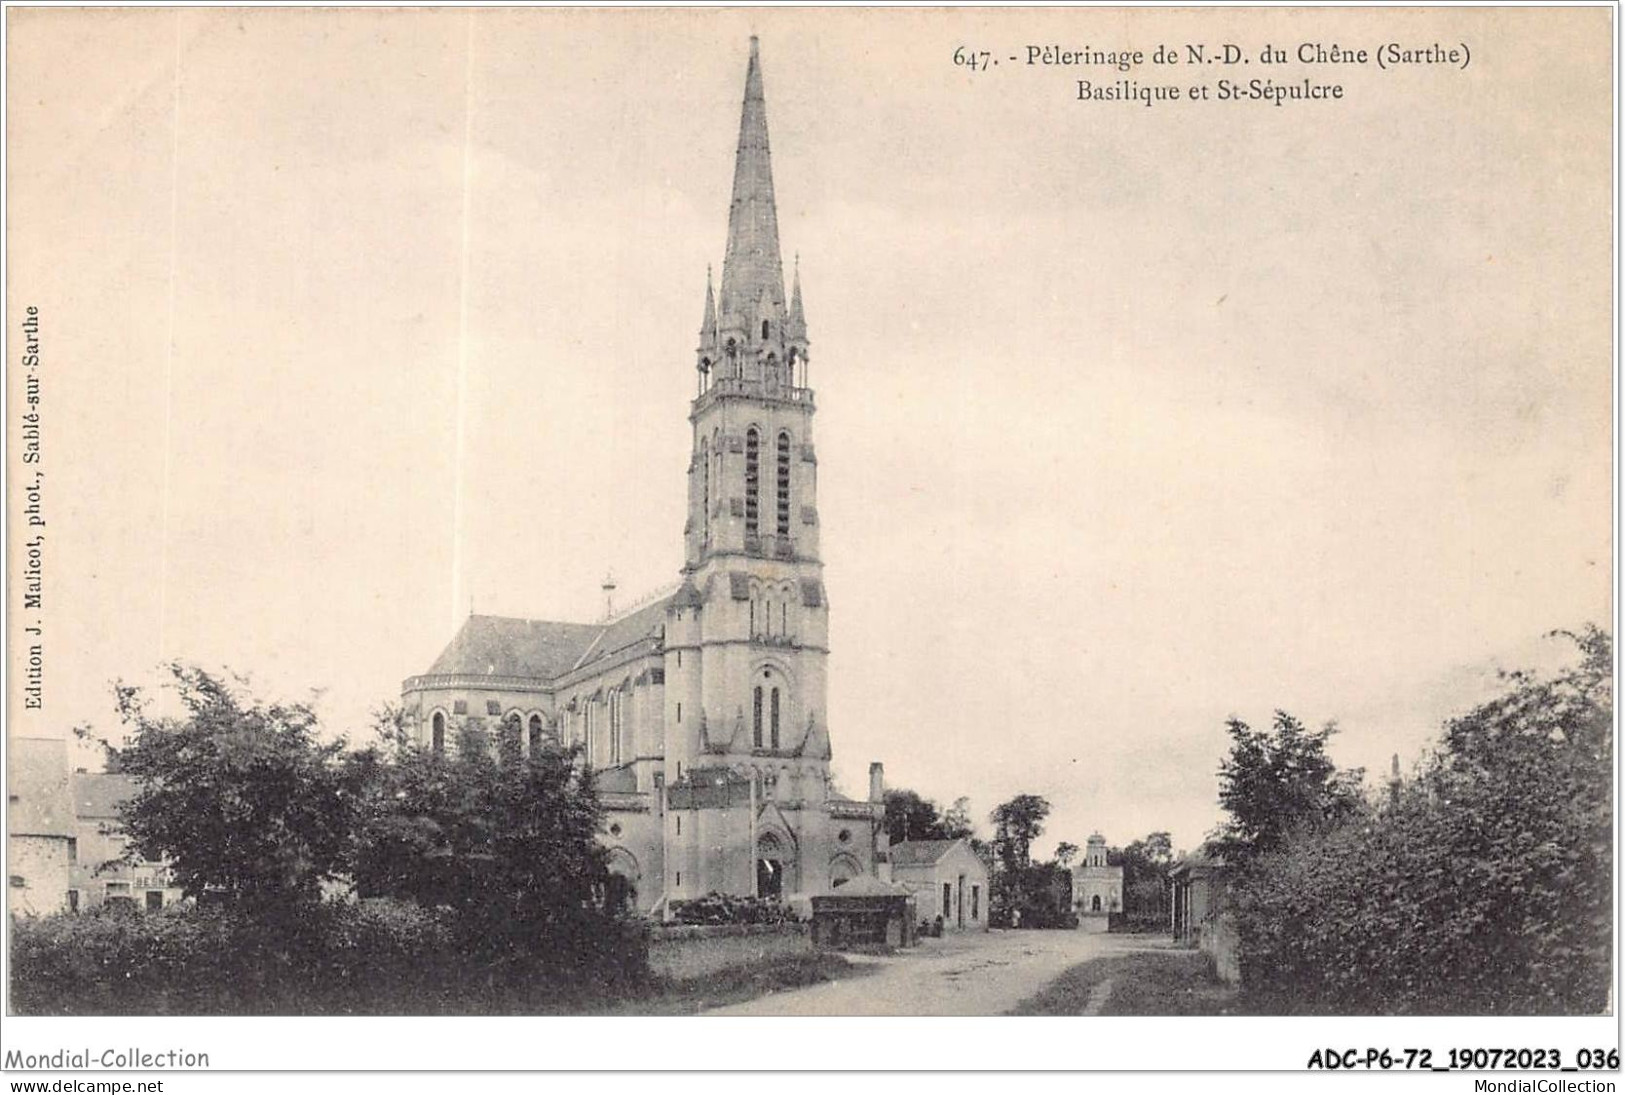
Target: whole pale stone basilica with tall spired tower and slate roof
(703, 712)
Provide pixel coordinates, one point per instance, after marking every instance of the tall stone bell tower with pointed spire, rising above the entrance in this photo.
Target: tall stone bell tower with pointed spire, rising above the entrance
(752, 615)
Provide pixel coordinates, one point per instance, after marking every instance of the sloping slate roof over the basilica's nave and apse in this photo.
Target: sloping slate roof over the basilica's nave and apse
(540, 649)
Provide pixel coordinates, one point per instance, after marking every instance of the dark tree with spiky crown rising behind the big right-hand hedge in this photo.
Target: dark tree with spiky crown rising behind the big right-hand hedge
(1275, 784)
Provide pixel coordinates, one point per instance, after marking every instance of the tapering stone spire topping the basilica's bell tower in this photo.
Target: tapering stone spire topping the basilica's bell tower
(752, 267)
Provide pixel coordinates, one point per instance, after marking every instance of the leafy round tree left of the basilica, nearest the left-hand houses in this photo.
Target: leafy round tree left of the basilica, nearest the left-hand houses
(236, 795)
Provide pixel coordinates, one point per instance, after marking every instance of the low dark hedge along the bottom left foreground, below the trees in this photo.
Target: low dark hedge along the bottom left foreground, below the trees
(379, 956)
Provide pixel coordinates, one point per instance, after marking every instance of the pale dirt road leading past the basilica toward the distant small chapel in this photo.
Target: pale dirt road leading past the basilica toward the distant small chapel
(976, 974)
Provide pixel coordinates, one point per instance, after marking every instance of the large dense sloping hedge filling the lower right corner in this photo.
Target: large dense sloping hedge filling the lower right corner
(1483, 888)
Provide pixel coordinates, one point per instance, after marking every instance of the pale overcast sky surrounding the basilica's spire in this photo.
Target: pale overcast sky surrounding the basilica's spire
(1130, 418)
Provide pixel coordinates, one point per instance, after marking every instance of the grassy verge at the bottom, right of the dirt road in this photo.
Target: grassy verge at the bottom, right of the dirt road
(1151, 984)
